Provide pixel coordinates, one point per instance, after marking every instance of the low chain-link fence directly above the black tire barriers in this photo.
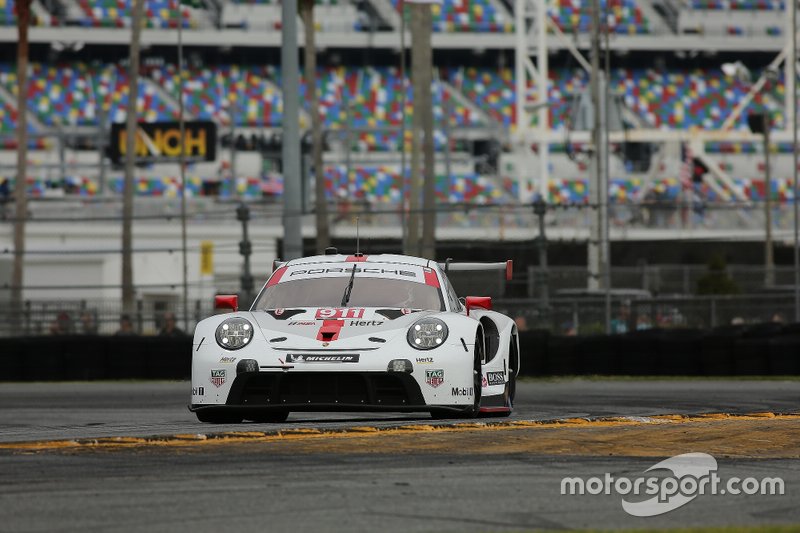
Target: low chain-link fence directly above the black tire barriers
(574, 315)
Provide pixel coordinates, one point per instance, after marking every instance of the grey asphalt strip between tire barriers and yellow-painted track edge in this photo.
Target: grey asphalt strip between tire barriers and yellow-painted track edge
(48, 411)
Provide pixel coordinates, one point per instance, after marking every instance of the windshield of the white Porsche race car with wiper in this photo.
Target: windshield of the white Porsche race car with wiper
(366, 292)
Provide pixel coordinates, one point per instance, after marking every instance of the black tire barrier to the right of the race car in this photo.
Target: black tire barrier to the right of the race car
(766, 349)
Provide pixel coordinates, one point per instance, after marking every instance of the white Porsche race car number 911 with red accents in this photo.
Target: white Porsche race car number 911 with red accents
(356, 333)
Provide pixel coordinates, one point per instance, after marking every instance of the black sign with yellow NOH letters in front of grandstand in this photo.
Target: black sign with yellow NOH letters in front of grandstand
(161, 141)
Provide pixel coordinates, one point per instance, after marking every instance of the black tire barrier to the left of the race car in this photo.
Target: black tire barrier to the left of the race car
(89, 357)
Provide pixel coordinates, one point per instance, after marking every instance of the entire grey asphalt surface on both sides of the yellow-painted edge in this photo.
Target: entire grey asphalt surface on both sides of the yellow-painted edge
(244, 488)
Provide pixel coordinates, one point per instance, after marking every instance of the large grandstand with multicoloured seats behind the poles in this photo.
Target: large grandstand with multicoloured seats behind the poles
(667, 79)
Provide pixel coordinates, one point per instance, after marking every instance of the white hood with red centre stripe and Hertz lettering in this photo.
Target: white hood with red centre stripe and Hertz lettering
(315, 328)
